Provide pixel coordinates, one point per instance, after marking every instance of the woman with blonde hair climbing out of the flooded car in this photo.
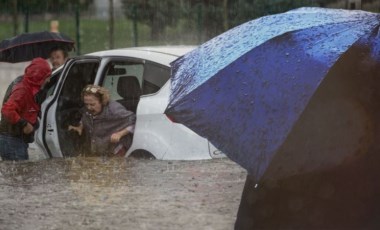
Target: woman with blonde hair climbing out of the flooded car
(108, 127)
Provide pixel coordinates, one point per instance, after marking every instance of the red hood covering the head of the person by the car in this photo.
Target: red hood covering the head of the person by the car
(37, 72)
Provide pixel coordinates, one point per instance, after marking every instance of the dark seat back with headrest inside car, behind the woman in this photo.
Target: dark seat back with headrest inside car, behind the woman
(128, 87)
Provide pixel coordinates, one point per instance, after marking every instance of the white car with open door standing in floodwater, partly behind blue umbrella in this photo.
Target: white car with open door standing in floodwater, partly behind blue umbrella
(139, 78)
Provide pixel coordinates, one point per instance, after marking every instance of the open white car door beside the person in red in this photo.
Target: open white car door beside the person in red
(62, 107)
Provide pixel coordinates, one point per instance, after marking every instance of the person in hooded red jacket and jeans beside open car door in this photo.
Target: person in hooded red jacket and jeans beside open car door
(19, 113)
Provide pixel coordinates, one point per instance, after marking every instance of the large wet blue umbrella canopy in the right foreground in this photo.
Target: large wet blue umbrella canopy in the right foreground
(274, 93)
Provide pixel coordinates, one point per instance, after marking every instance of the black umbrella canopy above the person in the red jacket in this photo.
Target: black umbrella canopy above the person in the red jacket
(27, 46)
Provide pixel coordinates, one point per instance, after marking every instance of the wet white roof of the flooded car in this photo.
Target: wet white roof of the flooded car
(160, 54)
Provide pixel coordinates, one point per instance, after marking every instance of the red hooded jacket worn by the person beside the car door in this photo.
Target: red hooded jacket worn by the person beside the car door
(21, 106)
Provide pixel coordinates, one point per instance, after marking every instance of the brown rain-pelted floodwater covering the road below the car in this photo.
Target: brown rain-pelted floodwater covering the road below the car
(114, 193)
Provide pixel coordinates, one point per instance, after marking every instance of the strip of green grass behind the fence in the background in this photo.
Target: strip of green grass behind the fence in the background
(94, 33)
